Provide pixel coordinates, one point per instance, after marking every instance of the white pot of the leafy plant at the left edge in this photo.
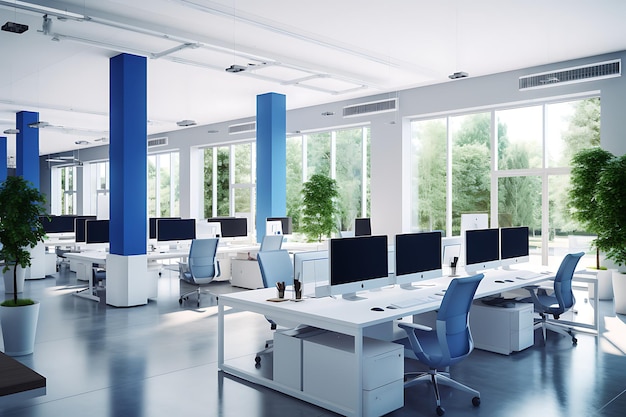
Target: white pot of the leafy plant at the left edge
(19, 326)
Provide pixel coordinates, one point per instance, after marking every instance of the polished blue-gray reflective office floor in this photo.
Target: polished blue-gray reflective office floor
(160, 360)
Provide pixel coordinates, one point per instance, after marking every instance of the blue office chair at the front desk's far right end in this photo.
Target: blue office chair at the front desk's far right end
(560, 301)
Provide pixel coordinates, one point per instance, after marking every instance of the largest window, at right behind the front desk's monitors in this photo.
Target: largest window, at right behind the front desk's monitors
(512, 164)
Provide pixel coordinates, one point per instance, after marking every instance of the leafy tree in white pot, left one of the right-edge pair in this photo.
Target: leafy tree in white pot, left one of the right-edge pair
(587, 168)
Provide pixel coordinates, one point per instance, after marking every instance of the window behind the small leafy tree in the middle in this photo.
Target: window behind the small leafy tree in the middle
(341, 154)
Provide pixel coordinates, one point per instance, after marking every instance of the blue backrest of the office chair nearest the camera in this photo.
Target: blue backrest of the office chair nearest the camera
(453, 332)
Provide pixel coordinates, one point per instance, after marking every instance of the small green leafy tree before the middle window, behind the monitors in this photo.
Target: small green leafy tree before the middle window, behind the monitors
(319, 210)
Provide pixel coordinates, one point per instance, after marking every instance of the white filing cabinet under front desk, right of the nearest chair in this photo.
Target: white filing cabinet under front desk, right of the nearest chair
(502, 330)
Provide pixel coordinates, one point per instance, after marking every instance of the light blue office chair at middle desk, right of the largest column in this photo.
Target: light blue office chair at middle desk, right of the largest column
(201, 267)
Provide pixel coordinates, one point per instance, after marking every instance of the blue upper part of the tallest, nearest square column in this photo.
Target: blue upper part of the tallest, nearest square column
(127, 154)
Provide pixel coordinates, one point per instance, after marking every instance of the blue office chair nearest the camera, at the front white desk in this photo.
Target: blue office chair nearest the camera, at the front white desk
(449, 343)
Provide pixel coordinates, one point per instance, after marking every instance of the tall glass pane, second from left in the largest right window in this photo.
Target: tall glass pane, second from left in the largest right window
(471, 162)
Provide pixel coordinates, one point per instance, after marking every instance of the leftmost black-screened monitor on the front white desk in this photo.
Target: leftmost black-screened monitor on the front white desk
(356, 264)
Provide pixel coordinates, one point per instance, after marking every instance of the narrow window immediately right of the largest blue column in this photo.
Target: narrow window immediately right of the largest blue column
(163, 185)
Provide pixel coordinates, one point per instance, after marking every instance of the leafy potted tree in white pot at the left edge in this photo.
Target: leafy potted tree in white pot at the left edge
(21, 204)
